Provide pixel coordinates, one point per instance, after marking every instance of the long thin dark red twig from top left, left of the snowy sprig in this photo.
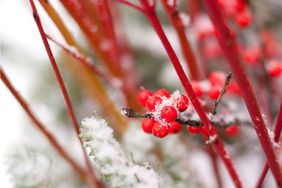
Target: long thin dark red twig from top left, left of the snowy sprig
(91, 176)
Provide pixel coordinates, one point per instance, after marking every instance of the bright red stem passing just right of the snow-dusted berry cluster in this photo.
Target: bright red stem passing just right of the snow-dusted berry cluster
(188, 88)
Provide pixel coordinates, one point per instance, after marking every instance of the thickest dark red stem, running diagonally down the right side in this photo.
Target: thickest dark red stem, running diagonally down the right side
(228, 44)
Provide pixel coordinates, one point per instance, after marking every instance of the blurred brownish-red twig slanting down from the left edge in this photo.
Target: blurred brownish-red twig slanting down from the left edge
(50, 137)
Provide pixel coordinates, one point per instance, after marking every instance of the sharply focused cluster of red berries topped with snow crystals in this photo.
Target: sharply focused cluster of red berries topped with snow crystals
(165, 108)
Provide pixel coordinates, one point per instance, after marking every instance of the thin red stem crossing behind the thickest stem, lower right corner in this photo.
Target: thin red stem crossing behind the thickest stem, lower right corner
(277, 133)
